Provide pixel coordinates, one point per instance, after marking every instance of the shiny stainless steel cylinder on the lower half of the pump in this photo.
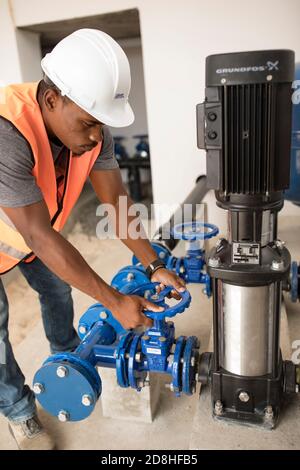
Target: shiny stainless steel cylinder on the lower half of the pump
(247, 317)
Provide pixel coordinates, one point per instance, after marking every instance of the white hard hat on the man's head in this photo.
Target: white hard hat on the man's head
(91, 69)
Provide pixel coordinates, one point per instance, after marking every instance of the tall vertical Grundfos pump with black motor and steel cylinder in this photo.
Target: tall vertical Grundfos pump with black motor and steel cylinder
(245, 127)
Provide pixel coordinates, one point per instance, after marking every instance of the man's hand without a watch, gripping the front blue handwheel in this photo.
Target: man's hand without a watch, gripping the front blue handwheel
(129, 311)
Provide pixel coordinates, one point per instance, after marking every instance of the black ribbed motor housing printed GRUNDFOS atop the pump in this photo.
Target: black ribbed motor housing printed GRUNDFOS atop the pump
(247, 113)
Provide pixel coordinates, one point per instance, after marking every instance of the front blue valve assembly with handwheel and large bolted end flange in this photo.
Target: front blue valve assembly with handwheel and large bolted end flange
(68, 384)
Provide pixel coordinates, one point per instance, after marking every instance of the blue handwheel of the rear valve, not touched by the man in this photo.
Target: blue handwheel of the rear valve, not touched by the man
(191, 231)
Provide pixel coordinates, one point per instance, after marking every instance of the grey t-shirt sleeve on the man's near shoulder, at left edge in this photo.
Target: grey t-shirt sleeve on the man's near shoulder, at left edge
(18, 186)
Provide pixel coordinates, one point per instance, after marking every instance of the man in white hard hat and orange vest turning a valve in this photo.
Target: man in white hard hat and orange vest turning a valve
(53, 136)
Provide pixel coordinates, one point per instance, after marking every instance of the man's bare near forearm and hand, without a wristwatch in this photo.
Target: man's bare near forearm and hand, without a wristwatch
(33, 223)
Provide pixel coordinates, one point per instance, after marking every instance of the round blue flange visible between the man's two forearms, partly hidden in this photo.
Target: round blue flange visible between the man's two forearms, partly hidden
(128, 278)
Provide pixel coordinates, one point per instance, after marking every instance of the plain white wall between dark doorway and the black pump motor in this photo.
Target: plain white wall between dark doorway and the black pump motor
(176, 37)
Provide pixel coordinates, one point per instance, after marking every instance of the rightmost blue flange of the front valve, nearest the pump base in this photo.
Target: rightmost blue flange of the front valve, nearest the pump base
(190, 364)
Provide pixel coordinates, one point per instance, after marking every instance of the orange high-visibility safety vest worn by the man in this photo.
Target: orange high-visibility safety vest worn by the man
(19, 105)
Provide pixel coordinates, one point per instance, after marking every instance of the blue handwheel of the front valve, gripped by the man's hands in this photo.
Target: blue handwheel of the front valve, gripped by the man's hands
(159, 299)
